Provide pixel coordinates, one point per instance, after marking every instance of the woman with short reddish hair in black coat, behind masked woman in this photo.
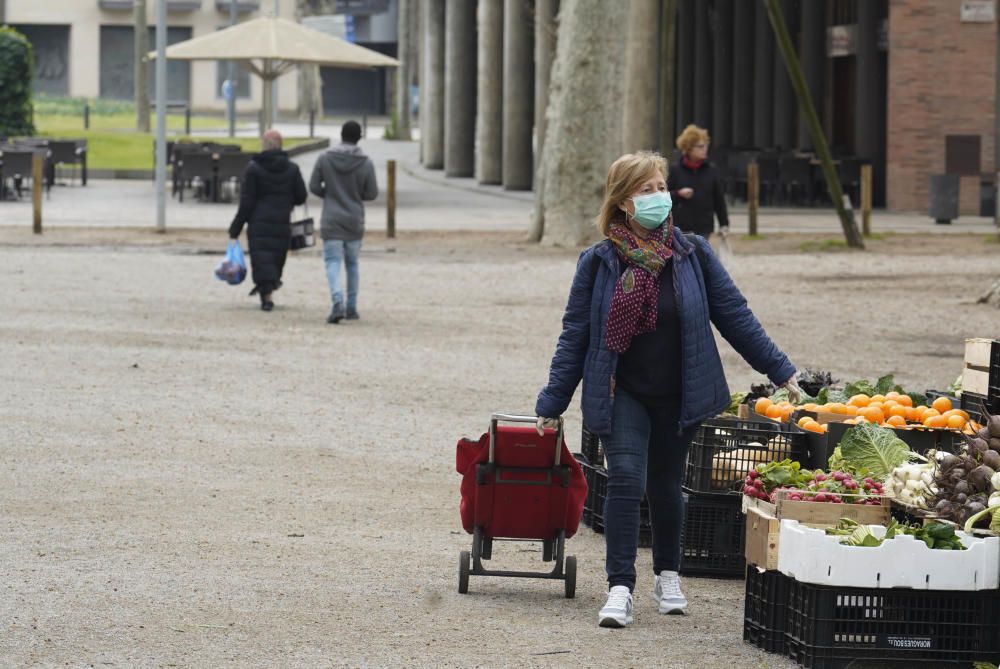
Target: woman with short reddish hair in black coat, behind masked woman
(696, 186)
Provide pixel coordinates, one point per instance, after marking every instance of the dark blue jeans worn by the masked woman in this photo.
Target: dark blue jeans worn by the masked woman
(645, 453)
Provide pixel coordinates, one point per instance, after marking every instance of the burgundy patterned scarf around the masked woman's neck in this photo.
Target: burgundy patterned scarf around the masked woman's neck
(637, 292)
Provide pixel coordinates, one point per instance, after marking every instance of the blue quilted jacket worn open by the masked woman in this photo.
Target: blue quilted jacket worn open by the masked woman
(702, 298)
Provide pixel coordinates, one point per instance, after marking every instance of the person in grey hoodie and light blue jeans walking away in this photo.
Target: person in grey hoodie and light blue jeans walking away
(345, 178)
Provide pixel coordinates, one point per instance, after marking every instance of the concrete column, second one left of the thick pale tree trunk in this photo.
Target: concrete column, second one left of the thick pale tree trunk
(519, 94)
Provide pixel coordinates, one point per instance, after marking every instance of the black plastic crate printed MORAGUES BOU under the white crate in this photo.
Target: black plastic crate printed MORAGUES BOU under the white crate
(830, 627)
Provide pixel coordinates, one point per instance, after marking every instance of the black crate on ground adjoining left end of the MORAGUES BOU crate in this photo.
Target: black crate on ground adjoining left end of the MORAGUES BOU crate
(765, 607)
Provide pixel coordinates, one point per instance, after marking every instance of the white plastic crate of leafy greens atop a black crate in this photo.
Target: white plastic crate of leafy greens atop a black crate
(810, 555)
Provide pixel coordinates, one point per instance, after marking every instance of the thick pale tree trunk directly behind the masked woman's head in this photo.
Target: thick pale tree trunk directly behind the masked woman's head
(584, 129)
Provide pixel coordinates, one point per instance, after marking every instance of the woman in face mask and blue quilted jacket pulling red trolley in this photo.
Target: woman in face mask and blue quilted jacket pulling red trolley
(636, 331)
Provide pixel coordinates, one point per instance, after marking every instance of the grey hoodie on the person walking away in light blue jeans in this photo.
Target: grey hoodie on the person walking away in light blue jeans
(344, 177)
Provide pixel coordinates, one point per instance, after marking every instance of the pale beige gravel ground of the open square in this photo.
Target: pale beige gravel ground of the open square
(187, 481)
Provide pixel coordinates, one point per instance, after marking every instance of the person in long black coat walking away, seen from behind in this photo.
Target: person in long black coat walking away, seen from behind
(272, 187)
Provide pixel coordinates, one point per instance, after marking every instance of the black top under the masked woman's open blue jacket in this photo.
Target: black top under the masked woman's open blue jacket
(651, 367)
